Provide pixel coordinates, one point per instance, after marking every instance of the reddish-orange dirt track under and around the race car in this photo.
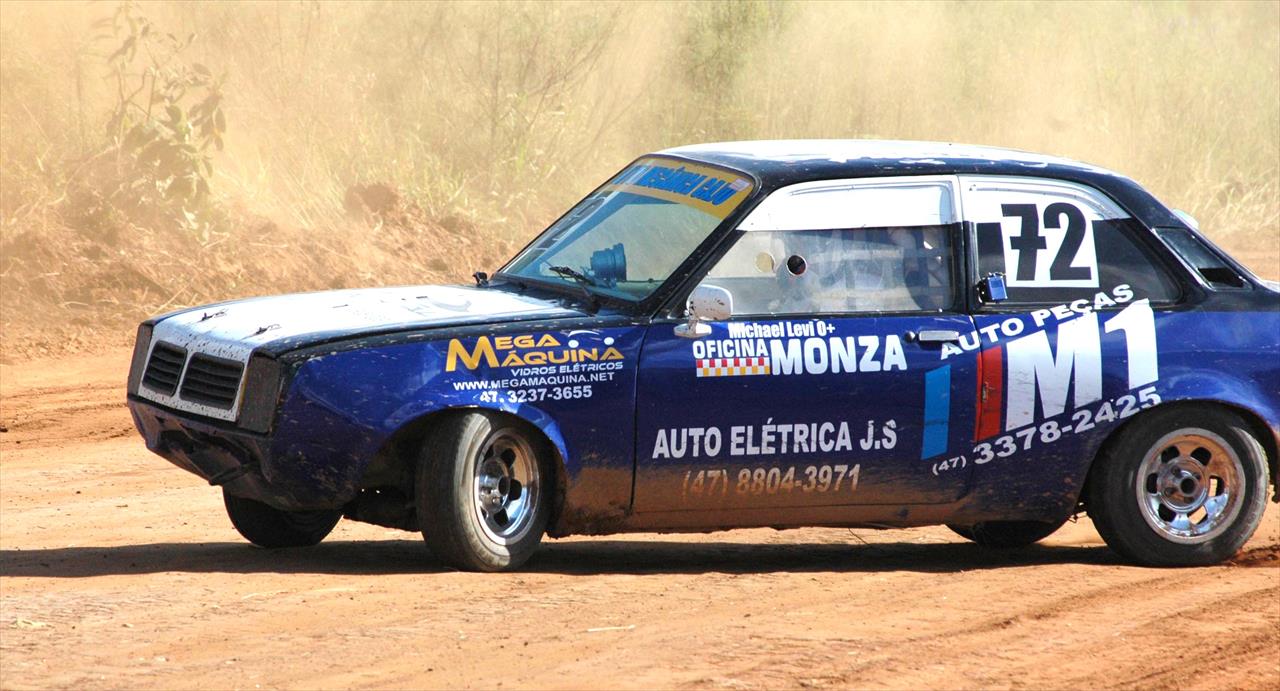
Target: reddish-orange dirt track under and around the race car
(121, 571)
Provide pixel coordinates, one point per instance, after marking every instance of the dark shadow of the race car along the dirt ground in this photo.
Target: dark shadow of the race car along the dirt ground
(577, 559)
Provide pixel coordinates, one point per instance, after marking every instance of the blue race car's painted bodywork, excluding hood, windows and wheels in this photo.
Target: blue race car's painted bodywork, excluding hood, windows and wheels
(799, 420)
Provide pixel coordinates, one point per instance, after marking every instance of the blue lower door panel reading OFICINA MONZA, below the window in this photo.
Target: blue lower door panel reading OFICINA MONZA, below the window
(824, 392)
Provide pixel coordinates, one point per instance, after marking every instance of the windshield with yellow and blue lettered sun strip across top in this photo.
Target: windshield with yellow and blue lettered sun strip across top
(630, 236)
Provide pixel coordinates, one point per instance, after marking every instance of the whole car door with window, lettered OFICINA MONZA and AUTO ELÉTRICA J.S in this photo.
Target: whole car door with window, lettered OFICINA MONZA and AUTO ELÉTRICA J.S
(829, 386)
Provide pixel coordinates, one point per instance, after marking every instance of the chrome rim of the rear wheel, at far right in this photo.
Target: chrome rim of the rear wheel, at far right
(1191, 486)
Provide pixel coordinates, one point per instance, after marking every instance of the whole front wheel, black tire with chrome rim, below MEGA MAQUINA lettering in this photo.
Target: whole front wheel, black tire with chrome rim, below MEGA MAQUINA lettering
(482, 492)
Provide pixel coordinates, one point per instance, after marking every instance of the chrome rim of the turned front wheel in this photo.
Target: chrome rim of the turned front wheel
(505, 488)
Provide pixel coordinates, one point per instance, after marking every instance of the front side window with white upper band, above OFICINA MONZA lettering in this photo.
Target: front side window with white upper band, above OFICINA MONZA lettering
(844, 248)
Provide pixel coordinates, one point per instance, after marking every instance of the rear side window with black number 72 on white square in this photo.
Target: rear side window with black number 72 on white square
(1057, 242)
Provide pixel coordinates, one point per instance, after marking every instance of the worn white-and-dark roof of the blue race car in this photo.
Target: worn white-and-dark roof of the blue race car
(778, 163)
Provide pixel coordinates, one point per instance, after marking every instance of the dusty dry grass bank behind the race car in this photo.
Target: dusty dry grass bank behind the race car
(490, 118)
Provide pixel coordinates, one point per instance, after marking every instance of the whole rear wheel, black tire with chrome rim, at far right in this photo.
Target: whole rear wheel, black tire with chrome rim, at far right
(1180, 487)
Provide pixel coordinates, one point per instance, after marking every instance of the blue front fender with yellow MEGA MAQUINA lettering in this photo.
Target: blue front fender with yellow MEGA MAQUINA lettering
(577, 387)
